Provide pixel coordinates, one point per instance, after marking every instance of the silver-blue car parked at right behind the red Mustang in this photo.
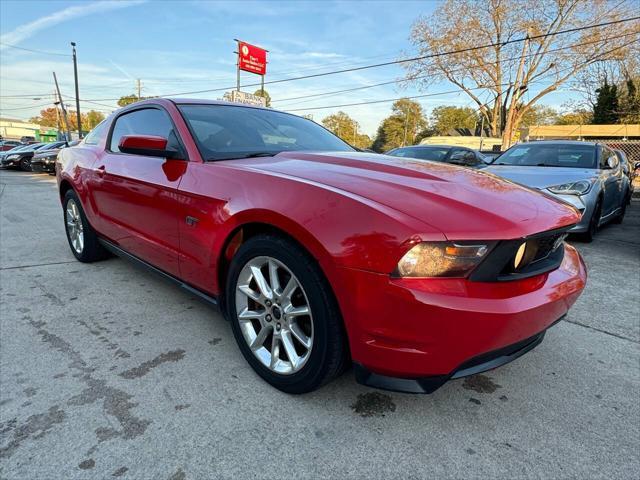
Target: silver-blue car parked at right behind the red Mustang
(587, 175)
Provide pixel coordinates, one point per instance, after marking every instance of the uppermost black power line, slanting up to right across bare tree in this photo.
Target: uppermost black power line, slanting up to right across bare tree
(405, 60)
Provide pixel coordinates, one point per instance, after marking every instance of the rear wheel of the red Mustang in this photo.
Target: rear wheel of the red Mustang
(81, 236)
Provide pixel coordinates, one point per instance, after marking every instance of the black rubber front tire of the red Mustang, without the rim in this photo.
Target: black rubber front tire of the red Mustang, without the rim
(329, 352)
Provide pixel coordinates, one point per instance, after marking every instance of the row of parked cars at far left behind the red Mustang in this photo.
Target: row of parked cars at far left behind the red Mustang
(37, 157)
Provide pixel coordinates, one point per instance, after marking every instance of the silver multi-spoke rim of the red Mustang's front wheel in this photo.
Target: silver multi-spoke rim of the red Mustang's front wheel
(274, 315)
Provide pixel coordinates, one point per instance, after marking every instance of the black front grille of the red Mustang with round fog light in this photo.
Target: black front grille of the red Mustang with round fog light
(543, 253)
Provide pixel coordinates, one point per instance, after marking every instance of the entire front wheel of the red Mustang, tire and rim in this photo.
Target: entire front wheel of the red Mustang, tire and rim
(284, 316)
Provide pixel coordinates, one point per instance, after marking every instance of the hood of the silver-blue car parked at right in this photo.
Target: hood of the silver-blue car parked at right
(541, 177)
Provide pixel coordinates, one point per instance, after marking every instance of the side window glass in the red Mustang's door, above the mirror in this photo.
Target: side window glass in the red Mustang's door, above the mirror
(149, 121)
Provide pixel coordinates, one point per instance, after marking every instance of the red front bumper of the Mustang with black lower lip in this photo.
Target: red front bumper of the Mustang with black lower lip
(419, 329)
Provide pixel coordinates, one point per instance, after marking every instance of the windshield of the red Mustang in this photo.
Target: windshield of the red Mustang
(224, 132)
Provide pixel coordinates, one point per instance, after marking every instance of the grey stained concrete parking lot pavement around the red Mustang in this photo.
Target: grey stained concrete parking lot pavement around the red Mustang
(108, 372)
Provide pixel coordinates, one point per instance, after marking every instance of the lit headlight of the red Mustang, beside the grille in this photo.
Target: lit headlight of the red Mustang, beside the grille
(441, 259)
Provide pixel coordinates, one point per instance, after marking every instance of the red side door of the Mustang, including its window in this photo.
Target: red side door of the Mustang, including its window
(136, 195)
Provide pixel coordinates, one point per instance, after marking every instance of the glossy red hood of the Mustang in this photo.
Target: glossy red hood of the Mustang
(462, 203)
